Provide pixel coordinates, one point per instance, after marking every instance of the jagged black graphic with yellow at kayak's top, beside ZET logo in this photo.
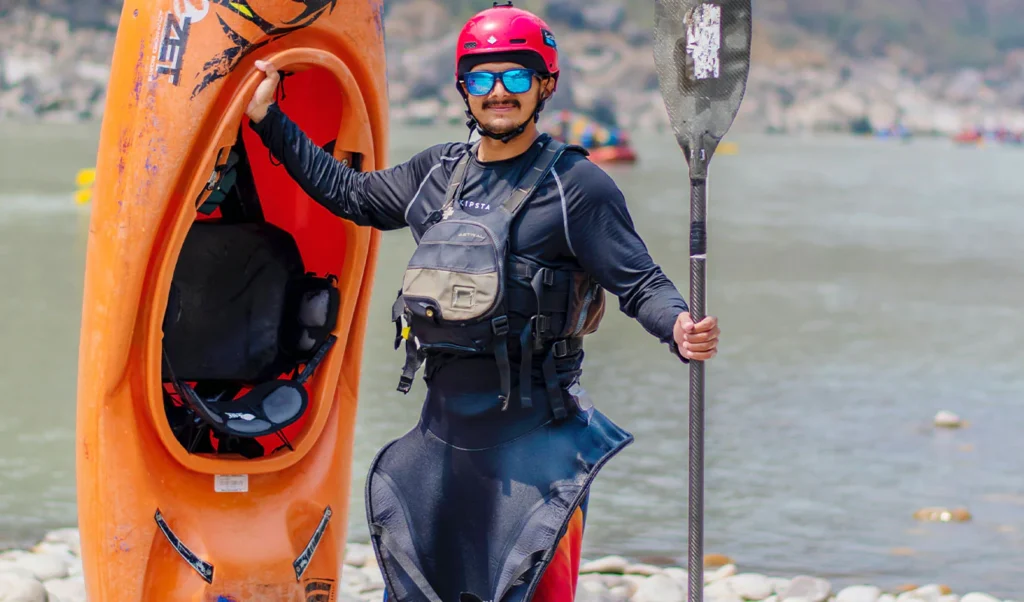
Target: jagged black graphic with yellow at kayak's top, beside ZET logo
(223, 64)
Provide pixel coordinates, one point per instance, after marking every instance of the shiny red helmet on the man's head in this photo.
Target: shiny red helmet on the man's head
(519, 35)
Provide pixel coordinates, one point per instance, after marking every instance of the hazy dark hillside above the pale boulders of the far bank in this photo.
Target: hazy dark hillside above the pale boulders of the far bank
(946, 34)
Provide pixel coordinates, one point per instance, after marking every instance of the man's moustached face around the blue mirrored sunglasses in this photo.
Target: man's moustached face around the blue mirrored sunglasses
(501, 111)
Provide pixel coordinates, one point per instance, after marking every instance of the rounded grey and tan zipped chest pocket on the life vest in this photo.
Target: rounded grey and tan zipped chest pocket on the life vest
(456, 275)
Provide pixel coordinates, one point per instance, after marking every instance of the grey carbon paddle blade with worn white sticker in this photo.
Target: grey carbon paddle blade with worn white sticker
(703, 57)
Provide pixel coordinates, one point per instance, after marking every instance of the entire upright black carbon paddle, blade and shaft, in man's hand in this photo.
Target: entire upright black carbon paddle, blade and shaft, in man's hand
(703, 57)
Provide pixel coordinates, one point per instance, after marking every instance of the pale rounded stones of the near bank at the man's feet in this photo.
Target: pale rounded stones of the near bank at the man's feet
(52, 572)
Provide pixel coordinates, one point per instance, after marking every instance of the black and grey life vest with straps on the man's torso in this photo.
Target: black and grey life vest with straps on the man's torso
(464, 293)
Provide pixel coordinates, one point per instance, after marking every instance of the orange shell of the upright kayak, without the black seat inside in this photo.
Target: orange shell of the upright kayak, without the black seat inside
(157, 522)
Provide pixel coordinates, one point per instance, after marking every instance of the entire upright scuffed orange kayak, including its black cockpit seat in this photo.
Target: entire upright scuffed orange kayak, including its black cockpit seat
(206, 274)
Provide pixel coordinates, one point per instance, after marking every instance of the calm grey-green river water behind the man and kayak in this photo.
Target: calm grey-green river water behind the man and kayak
(862, 286)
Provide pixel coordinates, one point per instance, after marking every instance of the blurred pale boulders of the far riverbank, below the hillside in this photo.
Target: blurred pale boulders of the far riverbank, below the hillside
(56, 71)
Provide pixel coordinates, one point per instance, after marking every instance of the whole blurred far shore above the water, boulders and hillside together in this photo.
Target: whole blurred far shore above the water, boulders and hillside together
(933, 66)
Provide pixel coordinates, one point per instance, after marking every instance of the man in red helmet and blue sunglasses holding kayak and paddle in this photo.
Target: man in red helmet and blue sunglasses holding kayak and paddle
(519, 238)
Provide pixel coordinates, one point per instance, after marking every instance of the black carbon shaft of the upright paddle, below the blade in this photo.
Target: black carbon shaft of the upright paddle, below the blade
(699, 262)
